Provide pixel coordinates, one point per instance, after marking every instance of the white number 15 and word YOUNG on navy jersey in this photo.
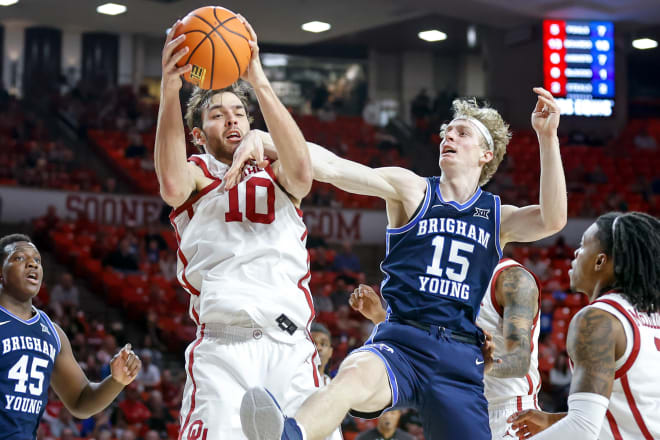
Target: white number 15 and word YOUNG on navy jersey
(457, 255)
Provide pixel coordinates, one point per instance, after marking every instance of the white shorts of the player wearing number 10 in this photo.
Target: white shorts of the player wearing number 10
(224, 362)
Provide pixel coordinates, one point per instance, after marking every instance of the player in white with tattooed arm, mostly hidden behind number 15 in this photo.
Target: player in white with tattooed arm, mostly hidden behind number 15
(510, 313)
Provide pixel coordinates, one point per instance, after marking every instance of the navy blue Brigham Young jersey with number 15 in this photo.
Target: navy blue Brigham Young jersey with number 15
(437, 267)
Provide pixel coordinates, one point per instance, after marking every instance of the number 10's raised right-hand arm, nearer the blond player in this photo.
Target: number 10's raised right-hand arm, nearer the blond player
(296, 167)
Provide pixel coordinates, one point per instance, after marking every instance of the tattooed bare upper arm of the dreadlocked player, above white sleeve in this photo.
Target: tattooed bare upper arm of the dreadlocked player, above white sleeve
(591, 345)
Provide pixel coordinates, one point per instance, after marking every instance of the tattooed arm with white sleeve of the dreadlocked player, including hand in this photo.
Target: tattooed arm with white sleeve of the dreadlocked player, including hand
(591, 343)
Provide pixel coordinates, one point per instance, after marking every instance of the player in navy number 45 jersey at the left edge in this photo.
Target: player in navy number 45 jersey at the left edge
(36, 353)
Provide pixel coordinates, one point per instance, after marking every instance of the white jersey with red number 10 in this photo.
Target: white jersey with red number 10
(242, 254)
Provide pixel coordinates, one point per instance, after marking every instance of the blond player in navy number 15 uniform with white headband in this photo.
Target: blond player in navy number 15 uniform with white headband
(445, 236)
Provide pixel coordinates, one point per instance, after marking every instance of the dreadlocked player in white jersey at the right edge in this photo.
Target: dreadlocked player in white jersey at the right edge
(614, 343)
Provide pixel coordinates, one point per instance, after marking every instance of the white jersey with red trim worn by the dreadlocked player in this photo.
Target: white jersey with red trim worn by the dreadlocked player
(634, 408)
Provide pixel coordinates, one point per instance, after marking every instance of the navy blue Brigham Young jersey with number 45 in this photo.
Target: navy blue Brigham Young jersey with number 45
(27, 355)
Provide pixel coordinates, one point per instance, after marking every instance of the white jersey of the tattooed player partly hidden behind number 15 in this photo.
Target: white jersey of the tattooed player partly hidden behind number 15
(491, 319)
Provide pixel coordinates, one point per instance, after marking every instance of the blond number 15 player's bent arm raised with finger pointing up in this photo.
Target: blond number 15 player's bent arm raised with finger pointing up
(534, 222)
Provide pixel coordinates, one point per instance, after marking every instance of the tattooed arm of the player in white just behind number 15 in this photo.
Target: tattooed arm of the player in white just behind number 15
(518, 289)
